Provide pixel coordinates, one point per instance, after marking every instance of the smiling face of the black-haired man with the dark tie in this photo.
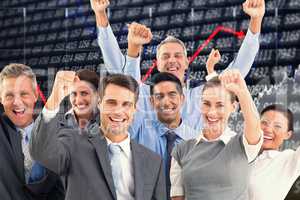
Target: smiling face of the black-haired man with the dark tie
(167, 102)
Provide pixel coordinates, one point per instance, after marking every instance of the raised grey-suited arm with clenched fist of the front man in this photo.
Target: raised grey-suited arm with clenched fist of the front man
(46, 146)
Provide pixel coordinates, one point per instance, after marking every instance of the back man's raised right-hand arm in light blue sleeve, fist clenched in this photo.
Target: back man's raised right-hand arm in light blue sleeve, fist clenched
(250, 46)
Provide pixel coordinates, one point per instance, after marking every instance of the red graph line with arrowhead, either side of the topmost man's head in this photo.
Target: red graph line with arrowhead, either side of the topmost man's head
(218, 29)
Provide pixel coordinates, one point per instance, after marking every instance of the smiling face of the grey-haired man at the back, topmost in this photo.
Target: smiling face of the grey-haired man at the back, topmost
(171, 58)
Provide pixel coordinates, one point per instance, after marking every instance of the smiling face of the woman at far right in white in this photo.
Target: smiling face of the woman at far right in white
(274, 125)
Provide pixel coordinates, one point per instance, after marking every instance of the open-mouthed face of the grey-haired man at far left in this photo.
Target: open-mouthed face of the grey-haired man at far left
(18, 98)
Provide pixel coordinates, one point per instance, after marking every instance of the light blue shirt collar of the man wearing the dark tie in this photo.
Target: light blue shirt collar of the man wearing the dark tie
(180, 131)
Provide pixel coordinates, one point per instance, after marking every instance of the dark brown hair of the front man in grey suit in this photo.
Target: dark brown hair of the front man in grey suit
(121, 80)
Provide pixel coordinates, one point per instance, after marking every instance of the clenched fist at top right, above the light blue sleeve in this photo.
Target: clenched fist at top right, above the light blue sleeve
(254, 8)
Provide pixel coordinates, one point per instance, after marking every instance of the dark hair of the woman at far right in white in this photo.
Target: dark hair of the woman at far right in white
(284, 110)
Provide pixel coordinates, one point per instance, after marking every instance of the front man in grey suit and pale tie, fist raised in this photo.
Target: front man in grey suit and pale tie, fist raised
(101, 163)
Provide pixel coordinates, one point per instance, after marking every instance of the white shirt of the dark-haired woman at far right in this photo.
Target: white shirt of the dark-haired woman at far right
(273, 174)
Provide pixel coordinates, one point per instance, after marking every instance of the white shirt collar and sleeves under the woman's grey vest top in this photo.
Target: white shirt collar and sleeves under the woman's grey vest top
(252, 151)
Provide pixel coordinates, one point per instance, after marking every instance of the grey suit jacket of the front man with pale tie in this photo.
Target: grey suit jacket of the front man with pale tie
(83, 159)
